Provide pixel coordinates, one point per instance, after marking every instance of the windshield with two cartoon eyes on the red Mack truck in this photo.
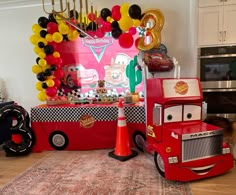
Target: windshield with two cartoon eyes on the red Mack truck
(189, 113)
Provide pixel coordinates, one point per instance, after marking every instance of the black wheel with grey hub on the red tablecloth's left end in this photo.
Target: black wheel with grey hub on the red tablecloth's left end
(58, 140)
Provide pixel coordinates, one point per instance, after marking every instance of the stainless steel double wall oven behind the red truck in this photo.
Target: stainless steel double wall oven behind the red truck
(217, 71)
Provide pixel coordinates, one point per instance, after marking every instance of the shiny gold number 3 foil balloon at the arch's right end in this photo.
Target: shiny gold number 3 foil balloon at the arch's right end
(153, 20)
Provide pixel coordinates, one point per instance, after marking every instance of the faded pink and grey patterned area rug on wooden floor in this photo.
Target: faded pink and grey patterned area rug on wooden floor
(92, 173)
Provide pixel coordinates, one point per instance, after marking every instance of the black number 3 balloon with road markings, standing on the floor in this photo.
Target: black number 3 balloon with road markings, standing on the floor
(22, 127)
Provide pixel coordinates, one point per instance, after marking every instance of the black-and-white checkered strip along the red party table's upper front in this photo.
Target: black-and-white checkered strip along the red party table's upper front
(73, 114)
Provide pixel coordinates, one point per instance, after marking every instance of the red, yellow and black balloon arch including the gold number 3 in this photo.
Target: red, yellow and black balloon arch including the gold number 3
(123, 22)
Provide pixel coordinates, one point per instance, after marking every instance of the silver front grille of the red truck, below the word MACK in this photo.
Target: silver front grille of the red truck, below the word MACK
(201, 147)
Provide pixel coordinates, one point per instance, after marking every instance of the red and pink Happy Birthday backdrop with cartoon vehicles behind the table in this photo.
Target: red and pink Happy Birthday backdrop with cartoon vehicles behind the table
(85, 61)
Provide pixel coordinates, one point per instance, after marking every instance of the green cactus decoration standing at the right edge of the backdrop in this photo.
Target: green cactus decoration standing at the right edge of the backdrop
(133, 72)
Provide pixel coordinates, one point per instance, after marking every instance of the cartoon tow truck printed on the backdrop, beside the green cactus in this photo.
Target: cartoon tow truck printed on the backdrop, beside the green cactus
(115, 73)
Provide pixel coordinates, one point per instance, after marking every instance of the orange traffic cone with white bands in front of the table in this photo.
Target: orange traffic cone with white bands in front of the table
(122, 150)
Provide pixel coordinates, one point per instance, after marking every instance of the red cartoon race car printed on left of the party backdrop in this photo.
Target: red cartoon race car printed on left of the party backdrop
(77, 76)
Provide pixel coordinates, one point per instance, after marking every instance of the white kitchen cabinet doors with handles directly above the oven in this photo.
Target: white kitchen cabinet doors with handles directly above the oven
(217, 25)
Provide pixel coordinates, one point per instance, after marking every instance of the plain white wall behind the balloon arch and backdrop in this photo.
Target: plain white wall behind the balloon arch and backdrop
(17, 56)
